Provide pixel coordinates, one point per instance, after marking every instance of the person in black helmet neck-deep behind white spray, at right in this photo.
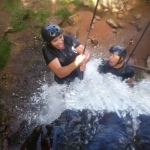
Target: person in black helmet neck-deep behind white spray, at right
(117, 66)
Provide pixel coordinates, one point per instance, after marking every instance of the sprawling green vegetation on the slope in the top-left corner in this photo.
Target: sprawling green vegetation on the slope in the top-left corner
(20, 16)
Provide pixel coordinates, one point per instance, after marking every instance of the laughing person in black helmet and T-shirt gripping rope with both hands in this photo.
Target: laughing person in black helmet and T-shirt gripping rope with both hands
(63, 54)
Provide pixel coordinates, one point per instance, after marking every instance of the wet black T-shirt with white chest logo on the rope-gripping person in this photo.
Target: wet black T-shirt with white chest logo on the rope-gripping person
(65, 56)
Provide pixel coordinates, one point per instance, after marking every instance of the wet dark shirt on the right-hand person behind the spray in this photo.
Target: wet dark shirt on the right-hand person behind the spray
(124, 72)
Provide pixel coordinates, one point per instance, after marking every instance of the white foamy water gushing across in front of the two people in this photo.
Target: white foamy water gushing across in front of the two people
(95, 92)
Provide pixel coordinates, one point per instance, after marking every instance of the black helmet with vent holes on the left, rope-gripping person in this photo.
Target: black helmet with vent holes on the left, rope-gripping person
(50, 31)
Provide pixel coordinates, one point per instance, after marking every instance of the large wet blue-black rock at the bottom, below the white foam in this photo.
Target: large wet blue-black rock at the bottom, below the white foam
(85, 130)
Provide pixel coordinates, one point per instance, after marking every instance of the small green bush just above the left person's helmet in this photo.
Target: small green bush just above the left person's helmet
(63, 13)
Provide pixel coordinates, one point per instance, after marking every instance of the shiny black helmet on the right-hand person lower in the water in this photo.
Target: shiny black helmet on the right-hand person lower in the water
(118, 50)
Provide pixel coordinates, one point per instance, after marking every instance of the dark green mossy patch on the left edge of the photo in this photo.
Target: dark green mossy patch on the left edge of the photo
(4, 51)
